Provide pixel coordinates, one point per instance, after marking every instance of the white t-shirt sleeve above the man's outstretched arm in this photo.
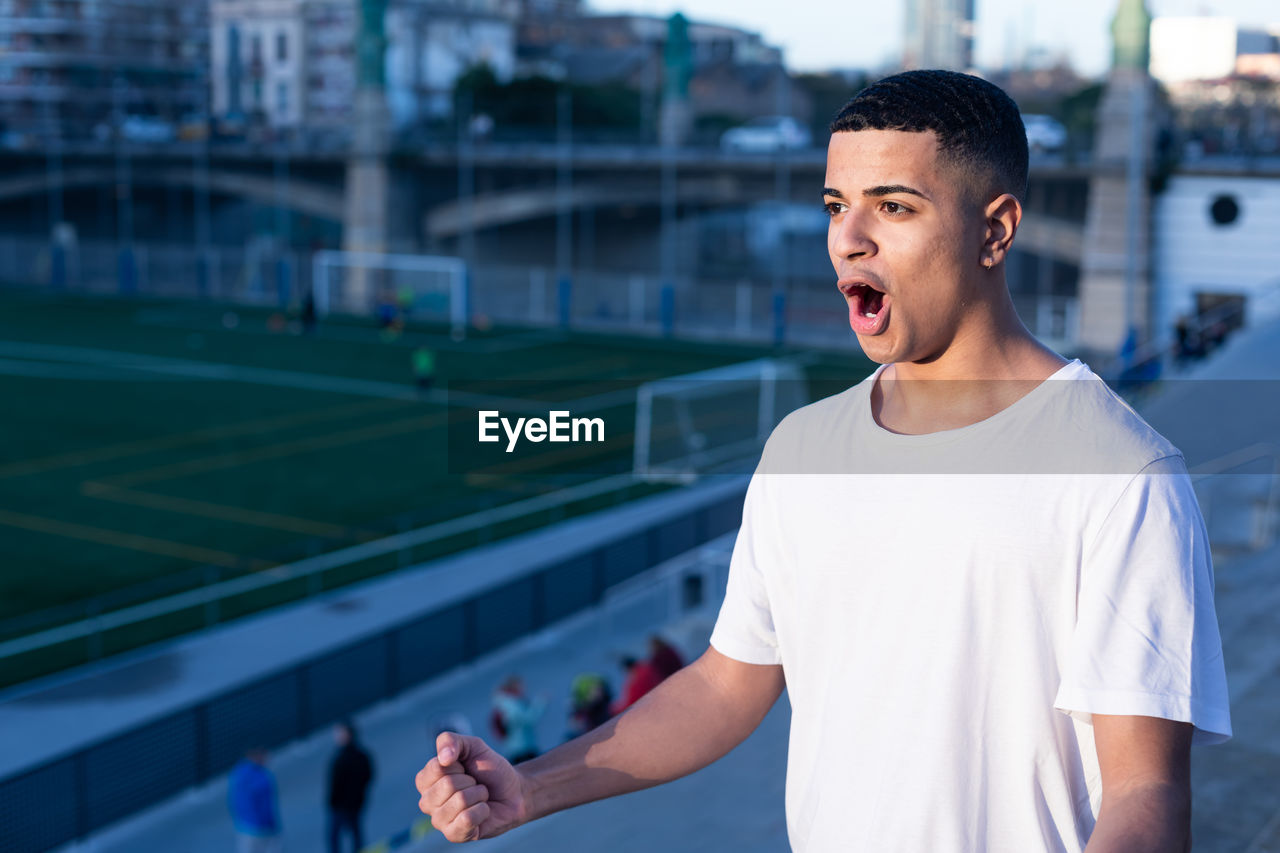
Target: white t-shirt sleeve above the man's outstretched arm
(744, 630)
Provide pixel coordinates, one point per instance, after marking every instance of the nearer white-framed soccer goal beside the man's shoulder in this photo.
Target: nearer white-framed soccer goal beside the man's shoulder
(708, 421)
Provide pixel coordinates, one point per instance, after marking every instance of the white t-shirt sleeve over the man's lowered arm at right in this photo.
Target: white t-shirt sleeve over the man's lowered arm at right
(1146, 637)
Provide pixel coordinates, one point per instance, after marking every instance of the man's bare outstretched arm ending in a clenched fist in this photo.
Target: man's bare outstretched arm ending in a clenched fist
(684, 724)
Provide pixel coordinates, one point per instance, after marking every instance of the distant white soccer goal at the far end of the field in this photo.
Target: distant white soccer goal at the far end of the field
(427, 288)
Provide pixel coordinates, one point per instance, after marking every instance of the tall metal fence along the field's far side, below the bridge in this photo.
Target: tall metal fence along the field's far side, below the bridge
(806, 311)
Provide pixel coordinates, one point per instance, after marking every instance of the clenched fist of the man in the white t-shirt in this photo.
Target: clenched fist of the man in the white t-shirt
(470, 791)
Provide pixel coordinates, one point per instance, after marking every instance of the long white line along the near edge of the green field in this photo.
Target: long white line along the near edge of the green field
(304, 568)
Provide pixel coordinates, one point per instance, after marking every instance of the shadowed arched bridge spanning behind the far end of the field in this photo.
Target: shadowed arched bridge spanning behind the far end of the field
(514, 183)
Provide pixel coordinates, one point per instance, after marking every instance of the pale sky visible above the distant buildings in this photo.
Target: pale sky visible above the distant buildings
(1007, 30)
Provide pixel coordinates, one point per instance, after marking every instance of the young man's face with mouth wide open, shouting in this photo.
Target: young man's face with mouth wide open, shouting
(906, 241)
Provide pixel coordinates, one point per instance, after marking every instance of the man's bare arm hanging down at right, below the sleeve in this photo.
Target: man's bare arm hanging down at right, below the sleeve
(1146, 786)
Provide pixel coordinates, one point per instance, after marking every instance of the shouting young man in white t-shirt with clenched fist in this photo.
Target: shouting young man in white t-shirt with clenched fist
(984, 581)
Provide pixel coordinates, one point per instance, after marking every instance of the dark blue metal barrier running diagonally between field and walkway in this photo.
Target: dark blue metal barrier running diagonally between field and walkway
(80, 793)
